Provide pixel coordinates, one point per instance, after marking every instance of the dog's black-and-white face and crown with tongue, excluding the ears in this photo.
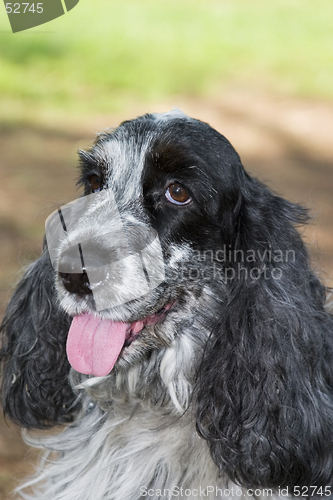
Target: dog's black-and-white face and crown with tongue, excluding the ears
(162, 193)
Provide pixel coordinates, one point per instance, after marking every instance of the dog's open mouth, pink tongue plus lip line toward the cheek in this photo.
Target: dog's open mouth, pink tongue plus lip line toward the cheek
(94, 344)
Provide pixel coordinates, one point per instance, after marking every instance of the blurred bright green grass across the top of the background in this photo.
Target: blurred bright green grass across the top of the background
(106, 53)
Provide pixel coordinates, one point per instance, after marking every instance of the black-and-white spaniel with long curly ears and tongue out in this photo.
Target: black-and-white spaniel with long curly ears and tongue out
(172, 331)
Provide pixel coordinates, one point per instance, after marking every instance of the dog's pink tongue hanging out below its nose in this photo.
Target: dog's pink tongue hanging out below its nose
(94, 344)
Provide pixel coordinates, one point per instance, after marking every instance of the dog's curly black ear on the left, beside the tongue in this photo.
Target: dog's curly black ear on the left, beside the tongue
(35, 389)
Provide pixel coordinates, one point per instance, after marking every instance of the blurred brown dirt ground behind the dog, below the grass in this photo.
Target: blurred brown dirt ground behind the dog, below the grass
(286, 143)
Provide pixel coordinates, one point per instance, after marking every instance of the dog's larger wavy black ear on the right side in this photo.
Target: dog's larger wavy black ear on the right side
(265, 389)
